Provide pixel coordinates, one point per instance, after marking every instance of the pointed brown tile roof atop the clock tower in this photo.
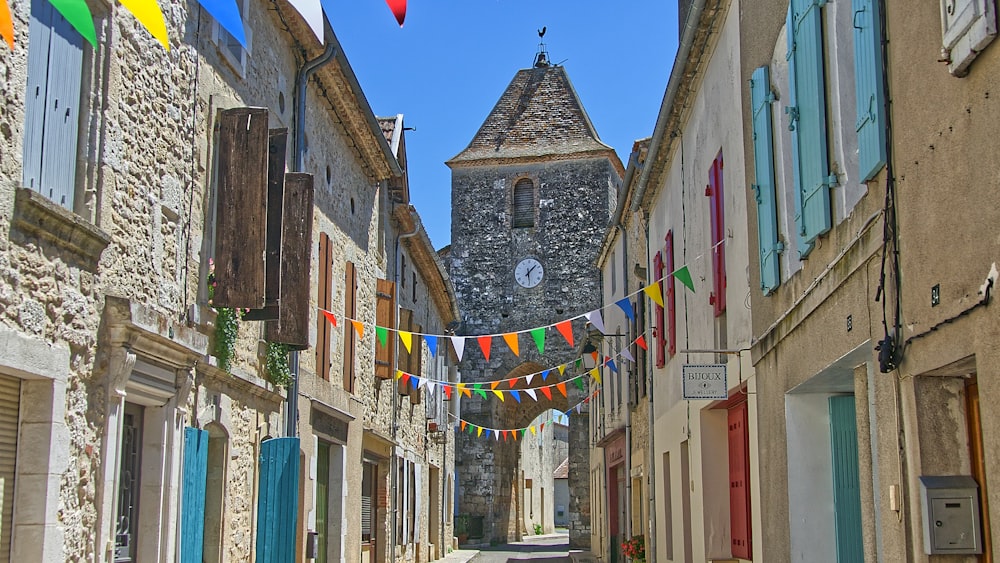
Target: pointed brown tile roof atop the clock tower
(538, 116)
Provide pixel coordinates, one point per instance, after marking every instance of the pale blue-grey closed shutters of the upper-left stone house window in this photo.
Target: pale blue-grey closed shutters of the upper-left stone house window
(52, 104)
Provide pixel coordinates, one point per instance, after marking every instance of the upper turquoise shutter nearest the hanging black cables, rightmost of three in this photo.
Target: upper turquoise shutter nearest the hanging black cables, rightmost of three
(870, 89)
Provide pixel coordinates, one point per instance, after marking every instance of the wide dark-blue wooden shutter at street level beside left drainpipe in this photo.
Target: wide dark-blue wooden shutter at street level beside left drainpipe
(277, 500)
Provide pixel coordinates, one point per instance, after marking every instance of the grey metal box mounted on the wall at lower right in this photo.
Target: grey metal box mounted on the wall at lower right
(950, 506)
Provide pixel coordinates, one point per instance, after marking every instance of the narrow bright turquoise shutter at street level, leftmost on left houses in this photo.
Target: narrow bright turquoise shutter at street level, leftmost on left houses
(193, 501)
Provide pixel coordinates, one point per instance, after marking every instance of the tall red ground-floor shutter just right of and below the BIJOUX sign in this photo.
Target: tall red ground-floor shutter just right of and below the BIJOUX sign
(739, 481)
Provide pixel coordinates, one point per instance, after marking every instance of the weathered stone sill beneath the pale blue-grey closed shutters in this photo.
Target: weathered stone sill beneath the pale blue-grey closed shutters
(36, 215)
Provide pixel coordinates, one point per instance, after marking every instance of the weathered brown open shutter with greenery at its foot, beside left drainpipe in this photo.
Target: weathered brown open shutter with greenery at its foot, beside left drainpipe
(292, 327)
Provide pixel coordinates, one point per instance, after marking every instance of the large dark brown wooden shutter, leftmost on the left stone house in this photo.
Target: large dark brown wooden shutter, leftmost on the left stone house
(241, 208)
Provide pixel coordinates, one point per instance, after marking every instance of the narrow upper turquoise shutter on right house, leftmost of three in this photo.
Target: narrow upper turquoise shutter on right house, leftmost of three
(763, 149)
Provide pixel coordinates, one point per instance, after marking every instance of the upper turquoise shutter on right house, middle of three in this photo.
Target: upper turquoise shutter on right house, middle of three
(808, 111)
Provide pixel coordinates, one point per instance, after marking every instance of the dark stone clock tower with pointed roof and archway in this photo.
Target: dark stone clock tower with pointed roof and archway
(532, 195)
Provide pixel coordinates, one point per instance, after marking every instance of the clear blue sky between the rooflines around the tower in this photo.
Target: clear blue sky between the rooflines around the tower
(448, 65)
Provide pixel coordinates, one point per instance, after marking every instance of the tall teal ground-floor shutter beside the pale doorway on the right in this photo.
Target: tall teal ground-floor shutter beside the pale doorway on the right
(846, 484)
